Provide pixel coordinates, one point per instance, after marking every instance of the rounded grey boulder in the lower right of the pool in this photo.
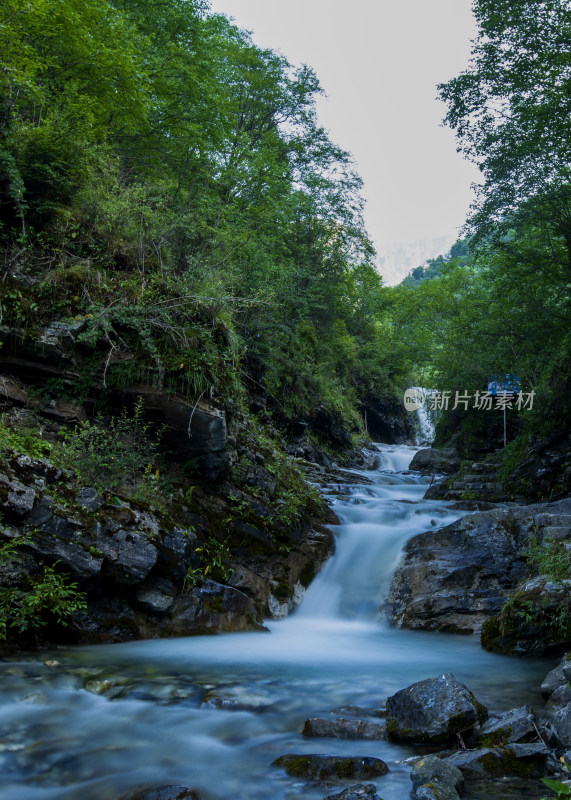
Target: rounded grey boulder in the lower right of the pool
(433, 711)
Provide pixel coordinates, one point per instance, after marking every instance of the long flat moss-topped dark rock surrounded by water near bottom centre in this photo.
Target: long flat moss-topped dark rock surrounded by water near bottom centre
(331, 768)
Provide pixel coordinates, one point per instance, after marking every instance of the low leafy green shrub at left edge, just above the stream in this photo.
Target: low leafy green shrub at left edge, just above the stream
(47, 597)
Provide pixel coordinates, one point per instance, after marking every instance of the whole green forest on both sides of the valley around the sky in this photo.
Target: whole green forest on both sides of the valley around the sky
(168, 182)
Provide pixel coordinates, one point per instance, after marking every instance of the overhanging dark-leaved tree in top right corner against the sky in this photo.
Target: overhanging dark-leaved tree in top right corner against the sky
(511, 111)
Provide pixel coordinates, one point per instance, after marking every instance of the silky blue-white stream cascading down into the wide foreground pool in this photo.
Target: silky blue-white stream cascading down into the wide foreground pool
(106, 718)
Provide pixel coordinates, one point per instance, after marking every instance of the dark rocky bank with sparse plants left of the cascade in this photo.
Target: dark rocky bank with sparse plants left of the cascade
(170, 517)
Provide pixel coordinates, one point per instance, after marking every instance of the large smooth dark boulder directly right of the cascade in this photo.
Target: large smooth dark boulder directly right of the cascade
(454, 578)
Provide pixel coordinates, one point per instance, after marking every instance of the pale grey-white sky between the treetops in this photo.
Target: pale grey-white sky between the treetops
(379, 62)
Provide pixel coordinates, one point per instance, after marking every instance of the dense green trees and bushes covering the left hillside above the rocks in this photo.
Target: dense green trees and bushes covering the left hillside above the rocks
(205, 228)
